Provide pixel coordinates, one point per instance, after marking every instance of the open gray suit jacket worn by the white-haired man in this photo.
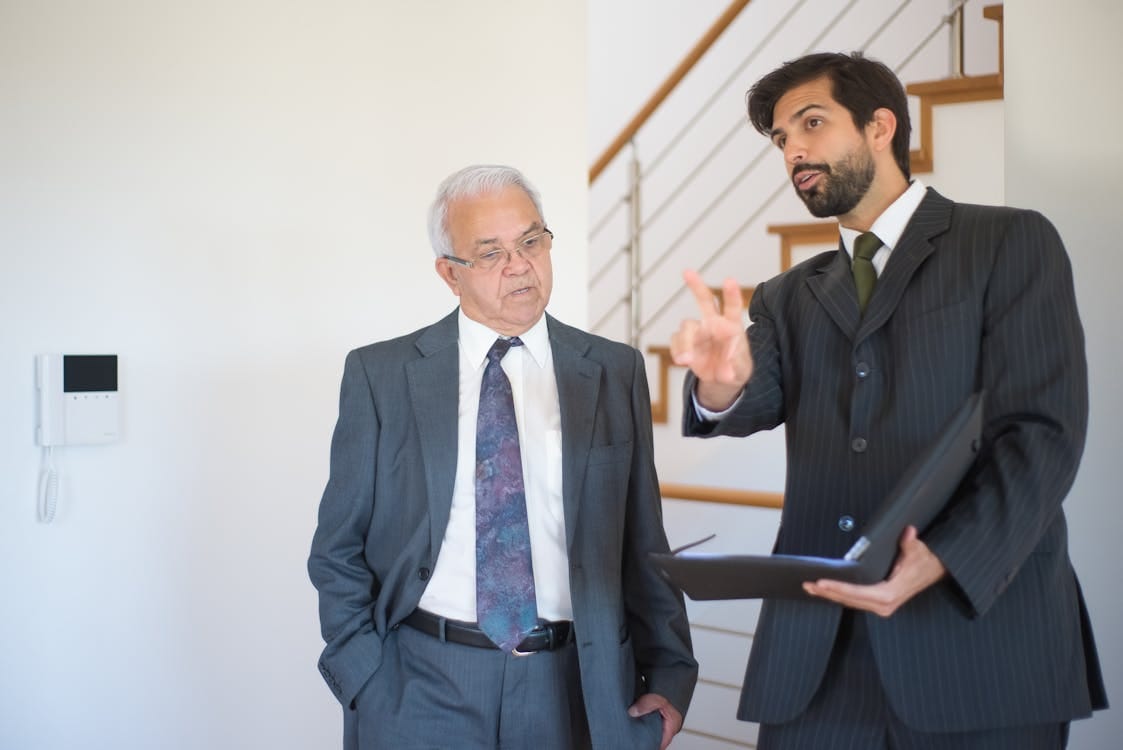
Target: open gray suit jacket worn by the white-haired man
(387, 505)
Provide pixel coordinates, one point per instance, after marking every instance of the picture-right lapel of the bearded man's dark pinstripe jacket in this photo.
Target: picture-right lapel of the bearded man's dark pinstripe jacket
(933, 217)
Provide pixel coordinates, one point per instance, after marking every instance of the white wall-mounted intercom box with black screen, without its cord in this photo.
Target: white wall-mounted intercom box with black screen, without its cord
(78, 399)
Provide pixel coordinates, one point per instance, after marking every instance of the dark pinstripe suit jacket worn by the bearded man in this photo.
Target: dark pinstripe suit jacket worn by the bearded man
(972, 298)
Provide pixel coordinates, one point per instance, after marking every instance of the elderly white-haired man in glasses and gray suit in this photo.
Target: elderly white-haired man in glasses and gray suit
(482, 546)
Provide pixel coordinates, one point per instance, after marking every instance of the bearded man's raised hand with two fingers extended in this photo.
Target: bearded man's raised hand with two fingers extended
(715, 347)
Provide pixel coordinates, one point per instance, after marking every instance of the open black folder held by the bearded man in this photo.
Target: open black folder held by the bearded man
(916, 500)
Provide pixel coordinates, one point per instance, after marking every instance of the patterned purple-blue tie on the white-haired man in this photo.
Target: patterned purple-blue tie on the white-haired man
(506, 607)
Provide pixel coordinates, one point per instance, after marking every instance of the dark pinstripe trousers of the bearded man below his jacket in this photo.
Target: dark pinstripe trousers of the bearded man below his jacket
(851, 712)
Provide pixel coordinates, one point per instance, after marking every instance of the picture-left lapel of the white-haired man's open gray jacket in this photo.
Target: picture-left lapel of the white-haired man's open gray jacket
(432, 379)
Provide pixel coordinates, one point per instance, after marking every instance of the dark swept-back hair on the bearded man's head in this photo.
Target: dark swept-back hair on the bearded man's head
(859, 84)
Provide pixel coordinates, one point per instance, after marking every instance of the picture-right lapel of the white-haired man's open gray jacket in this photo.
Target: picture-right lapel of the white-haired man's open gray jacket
(579, 381)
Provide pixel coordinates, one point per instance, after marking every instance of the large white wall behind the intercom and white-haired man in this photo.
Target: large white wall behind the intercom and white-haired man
(230, 195)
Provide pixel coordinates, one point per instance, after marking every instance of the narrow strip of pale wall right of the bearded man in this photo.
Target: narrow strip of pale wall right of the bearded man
(1064, 160)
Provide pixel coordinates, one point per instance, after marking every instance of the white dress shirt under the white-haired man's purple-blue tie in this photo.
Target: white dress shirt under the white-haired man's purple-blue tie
(452, 589)
